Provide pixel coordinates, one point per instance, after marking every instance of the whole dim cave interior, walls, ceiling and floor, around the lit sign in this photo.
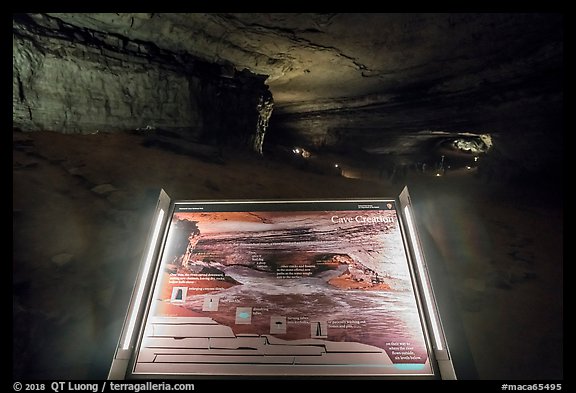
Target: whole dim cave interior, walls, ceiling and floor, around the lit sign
(464, 108)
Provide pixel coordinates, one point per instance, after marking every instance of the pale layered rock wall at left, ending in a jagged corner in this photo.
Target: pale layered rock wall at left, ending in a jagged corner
(76, 80)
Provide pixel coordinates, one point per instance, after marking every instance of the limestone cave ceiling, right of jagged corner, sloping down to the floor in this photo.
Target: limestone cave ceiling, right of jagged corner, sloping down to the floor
(373, 78)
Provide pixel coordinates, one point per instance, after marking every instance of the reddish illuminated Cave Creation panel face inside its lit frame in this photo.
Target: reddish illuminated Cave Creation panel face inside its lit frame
(277, 292)
